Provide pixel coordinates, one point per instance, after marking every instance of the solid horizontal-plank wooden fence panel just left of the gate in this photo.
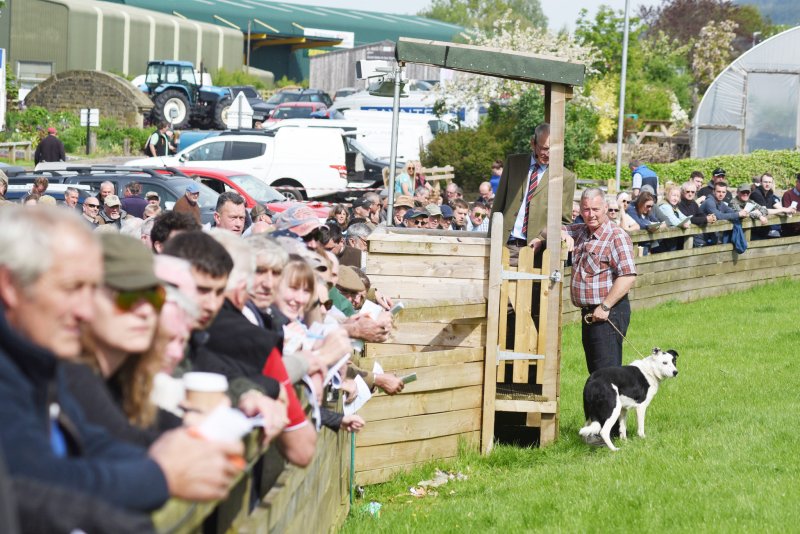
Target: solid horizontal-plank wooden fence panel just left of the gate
(441, 335)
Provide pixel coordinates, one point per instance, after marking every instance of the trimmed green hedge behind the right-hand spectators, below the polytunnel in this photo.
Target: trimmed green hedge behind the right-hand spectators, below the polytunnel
(783, 165)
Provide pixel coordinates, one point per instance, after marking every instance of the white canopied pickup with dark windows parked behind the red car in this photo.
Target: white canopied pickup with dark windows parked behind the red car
(302, 163)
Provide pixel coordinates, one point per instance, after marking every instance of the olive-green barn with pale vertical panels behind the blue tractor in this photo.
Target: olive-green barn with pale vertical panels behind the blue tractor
(89, 35)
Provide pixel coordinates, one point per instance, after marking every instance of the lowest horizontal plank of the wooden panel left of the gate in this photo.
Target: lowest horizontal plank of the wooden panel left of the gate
(412, 452)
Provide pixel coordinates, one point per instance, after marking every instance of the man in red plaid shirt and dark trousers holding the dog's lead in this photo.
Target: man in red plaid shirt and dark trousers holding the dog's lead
(603, 271)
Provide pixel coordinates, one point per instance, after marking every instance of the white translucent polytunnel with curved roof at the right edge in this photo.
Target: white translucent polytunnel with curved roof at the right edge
(754, 103)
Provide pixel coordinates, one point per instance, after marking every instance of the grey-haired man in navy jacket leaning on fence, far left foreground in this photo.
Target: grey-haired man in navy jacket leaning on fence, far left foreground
(46, 286)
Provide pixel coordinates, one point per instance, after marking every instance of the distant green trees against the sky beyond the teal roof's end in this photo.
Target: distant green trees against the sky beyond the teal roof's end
(482, 14)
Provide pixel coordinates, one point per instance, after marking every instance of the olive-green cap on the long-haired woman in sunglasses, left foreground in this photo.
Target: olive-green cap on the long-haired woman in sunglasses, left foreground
(127, 262)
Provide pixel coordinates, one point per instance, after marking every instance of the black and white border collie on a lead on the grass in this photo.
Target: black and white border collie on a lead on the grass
(610, 392)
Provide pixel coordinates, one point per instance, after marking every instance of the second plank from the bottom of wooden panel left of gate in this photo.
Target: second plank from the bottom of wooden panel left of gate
(420, 427)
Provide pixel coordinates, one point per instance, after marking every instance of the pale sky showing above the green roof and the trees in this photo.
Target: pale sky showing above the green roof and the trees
(560, 13)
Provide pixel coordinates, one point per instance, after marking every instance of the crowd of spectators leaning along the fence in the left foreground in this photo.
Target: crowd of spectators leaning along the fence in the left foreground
(103, 321)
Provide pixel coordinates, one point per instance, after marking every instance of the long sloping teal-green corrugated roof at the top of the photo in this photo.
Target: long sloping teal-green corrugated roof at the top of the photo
(281, 19)
